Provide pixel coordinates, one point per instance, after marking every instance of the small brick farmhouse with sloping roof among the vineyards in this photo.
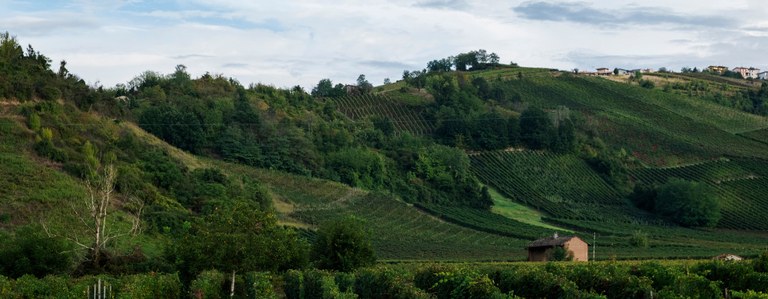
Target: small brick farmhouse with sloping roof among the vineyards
(540, 250)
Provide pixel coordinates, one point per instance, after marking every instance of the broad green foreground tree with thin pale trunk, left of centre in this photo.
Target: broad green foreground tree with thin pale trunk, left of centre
(239, 237)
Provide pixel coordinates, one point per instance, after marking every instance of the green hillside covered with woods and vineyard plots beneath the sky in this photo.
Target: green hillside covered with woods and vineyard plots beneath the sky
(440, 166)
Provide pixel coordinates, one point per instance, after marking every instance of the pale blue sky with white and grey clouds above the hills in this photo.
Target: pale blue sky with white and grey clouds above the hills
(294, 42)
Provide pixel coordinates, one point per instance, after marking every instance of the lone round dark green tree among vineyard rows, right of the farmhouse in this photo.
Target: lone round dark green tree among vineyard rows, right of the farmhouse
(688, 203)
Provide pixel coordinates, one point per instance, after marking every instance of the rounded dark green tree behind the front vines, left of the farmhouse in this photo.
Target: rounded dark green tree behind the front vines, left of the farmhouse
(343, 244)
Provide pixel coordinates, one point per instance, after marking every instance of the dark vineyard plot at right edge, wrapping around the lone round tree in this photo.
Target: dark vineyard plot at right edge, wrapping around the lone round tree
(740, 184)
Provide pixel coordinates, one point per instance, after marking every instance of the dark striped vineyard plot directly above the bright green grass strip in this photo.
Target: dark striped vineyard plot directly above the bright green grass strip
(563, 186)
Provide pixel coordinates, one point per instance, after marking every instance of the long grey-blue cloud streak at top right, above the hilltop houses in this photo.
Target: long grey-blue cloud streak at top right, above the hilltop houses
(580, 12)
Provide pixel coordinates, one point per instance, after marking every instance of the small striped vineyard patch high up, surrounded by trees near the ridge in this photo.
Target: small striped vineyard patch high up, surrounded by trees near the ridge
(404, 117)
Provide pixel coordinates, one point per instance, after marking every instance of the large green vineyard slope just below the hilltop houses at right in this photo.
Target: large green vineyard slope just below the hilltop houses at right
(659, 128)
